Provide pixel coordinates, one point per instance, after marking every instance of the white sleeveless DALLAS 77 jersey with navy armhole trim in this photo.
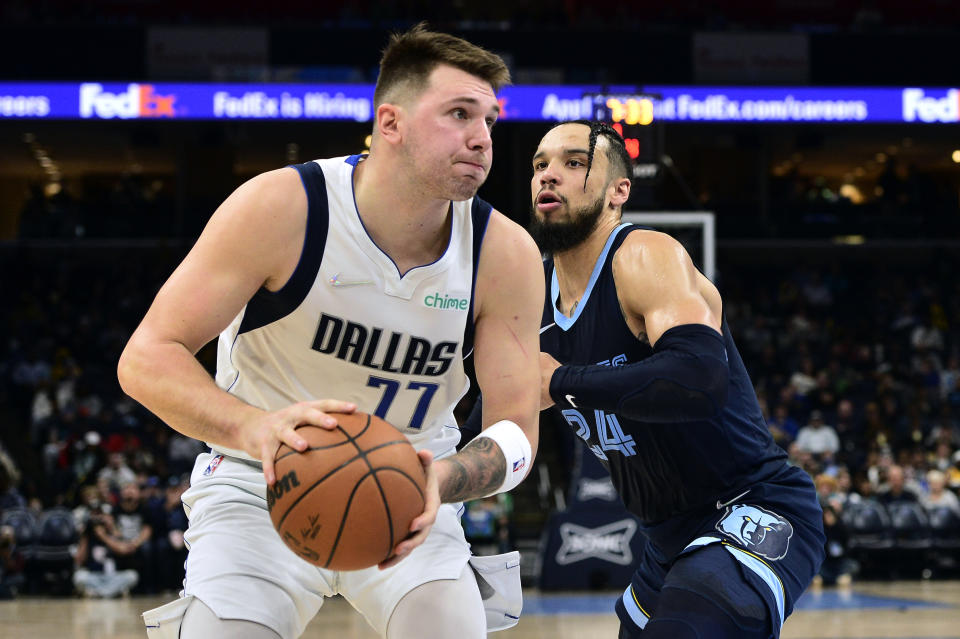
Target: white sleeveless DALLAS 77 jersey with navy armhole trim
(348, 326)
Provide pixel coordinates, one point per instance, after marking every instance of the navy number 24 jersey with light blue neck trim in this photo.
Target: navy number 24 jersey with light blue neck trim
(660, 470)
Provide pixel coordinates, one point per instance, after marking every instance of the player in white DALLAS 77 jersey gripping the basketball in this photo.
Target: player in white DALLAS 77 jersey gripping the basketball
(348, 284)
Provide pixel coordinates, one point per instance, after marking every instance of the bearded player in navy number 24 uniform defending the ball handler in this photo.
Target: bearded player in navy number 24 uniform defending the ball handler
(639, 360)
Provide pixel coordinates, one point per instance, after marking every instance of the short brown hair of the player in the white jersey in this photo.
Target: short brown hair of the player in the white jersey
(410, 58)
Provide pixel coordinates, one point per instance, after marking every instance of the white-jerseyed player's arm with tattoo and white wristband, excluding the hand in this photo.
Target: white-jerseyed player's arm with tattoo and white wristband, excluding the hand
(509, 300)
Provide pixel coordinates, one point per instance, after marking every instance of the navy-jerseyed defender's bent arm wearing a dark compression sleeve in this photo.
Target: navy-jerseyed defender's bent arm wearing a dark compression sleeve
(664, 297)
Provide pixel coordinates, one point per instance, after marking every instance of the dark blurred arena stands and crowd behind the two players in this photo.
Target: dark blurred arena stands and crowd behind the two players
(837, 256)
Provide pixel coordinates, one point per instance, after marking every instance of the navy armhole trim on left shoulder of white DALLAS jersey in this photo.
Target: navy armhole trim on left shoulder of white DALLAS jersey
(266, 306)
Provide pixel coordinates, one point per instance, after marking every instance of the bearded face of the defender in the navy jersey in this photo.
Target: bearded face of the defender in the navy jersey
(566, 202)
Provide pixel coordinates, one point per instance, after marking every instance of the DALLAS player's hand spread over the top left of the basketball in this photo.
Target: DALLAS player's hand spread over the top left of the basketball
(271, 429)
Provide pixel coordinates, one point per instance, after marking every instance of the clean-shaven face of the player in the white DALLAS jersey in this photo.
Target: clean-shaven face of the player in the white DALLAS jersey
(448, 143)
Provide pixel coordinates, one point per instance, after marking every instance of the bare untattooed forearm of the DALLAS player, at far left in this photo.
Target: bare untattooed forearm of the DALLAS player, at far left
(168, 380)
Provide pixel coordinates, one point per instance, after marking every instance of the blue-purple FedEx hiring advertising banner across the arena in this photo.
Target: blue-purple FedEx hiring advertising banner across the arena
(210, 101)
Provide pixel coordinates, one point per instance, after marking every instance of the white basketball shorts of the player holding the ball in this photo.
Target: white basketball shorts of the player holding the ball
(241, 569)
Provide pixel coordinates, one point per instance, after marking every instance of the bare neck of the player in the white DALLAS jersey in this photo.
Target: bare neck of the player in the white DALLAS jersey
(412, 229)
